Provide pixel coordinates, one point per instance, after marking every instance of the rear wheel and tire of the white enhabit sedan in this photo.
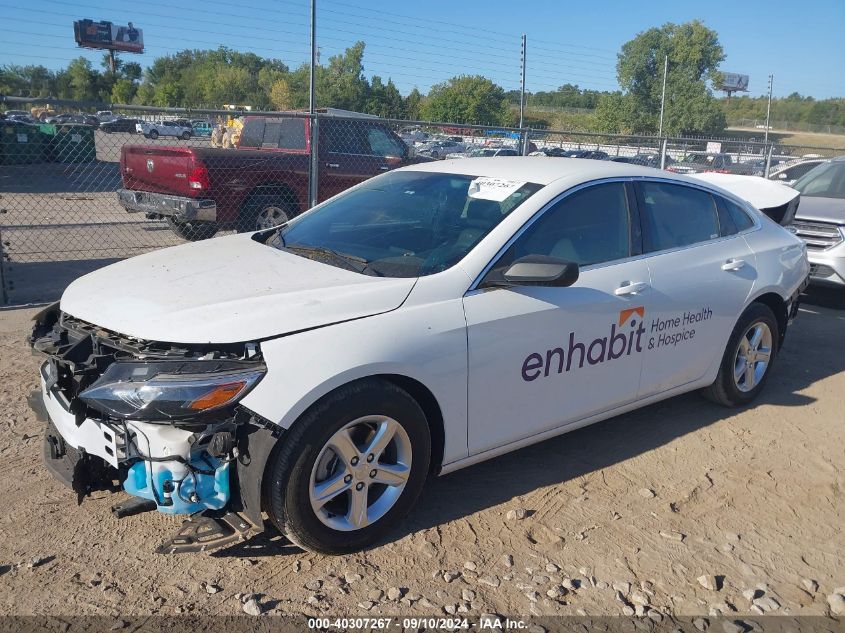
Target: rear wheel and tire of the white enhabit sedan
(735, 386)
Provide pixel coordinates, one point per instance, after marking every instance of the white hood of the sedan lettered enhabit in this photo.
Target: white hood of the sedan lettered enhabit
(226, 290)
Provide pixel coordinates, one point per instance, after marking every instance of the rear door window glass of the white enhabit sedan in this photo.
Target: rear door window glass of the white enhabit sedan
(676, 215)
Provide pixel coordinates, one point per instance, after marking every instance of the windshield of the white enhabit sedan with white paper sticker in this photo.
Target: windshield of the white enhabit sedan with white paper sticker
(403, 224)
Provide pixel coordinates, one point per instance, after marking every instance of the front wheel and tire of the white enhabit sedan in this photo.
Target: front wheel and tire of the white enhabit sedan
(304, 459)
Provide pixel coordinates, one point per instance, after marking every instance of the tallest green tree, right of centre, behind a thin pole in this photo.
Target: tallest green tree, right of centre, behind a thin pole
(694, 54)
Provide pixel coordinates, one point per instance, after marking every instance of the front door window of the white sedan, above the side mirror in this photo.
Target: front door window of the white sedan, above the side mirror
(590, 226)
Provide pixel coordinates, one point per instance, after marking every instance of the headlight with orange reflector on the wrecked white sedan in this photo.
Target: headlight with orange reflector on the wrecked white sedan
(171, 390)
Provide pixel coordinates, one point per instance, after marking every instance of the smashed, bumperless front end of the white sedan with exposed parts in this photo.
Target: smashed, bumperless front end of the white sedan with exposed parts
(159, 420)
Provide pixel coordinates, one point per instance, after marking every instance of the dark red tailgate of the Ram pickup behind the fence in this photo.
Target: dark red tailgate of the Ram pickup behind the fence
(158, 169)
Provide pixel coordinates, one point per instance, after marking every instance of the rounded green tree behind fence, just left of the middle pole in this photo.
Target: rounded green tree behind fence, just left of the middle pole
(467, 99)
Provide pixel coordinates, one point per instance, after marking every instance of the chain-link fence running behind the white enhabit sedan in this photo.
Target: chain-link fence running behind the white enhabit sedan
(77, 192)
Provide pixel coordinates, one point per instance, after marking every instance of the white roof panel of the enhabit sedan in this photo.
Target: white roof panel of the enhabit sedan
(544, 170)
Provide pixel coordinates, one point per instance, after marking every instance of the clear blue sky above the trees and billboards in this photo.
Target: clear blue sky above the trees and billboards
(422, 42)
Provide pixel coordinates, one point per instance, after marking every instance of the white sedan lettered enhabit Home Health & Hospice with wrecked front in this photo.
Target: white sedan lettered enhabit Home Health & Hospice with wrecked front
(425, 320)
